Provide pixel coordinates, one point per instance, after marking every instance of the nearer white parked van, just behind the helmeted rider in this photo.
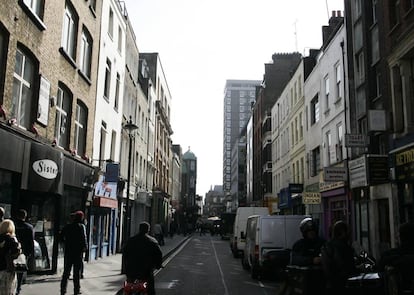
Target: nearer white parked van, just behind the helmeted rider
(269, 241)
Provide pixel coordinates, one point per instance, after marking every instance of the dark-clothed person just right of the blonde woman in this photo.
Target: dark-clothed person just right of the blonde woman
(25, 235)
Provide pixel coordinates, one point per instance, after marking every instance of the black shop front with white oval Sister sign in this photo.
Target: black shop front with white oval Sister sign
(40, 179)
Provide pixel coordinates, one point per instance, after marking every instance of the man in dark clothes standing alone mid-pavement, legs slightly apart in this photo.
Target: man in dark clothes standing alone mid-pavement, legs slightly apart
(74, 237)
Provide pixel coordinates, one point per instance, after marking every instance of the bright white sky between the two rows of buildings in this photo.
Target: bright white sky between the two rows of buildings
(203, 43)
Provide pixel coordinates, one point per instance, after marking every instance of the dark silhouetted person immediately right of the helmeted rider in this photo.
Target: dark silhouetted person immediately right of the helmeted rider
(338, 259)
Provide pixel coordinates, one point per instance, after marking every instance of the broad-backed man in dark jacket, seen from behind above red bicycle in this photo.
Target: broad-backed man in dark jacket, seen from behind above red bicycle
(142, 255)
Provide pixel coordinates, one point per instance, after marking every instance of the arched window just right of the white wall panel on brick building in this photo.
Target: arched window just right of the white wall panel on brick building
(62, 121)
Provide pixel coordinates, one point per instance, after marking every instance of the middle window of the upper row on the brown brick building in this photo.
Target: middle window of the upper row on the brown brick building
(70, 30)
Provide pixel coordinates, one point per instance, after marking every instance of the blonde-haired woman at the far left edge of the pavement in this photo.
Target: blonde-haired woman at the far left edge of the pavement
(9, 250)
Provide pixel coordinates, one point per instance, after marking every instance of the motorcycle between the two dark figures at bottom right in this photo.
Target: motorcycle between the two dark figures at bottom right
(368, 281)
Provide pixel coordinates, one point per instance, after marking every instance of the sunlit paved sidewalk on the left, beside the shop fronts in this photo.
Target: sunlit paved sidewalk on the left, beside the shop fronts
(102, 276)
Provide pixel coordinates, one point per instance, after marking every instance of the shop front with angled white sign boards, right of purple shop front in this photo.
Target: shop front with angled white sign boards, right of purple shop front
(371, 202)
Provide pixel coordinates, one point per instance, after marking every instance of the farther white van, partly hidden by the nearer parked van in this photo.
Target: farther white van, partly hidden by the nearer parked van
(236, 240)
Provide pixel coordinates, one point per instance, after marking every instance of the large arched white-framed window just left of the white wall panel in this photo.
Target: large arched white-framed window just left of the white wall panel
(23, 85)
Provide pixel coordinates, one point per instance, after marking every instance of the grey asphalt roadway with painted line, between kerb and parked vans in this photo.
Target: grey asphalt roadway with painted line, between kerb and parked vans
(205, 265)
